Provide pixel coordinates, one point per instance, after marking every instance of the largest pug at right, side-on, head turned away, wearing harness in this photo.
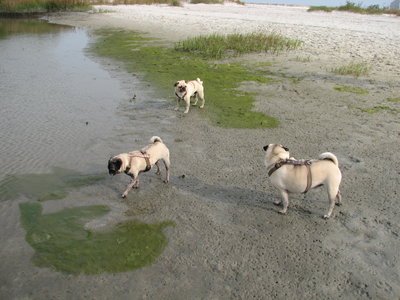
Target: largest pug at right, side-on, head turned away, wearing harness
(289, 175)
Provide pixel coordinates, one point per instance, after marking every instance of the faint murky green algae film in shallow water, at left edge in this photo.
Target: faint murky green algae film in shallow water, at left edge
(44, 187)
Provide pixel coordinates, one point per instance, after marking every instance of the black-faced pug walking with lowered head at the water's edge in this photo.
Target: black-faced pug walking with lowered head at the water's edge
(137, 162)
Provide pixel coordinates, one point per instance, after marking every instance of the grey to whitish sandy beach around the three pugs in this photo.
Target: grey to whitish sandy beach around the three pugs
(230, 242)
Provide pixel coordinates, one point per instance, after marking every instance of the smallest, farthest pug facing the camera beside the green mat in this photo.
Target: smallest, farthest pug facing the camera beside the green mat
(186, 89)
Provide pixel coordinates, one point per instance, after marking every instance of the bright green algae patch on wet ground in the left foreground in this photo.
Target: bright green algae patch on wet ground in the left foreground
(61, 242)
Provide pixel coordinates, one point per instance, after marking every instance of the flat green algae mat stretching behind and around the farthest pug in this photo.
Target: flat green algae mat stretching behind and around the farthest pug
(162, 66)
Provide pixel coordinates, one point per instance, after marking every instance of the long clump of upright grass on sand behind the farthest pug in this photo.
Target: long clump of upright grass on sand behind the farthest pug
(220, 46)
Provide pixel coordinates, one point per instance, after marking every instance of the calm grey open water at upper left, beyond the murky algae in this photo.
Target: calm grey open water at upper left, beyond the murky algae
(57, 107)
